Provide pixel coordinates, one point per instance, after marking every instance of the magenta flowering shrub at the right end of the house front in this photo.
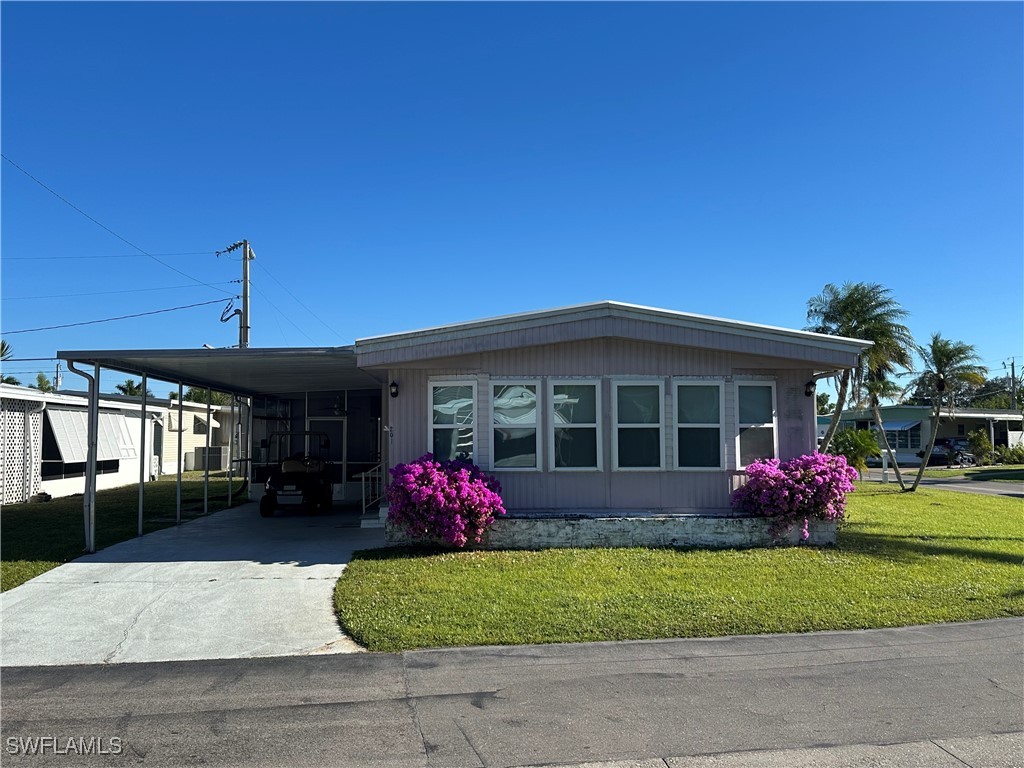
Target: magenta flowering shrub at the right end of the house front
(813, 486)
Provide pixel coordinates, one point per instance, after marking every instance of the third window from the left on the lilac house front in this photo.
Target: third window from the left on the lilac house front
(575, 440)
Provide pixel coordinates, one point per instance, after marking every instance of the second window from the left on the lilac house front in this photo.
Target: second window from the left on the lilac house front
(514, 418)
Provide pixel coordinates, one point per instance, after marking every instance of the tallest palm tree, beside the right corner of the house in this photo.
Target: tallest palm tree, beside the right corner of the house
(867, 312)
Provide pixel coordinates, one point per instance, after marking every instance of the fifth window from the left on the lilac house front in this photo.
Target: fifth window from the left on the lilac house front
(699, 425)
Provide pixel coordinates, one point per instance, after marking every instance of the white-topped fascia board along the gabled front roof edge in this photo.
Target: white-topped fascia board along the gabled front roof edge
(526, 321)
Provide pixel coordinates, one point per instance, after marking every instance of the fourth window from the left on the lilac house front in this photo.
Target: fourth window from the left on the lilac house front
(637, 412)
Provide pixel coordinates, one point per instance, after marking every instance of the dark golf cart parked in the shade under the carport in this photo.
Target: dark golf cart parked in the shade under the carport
(303, 480)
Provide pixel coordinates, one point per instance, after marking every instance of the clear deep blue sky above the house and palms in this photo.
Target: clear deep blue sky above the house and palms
(407, 165)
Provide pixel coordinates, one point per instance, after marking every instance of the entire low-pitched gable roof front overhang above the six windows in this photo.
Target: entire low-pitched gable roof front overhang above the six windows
(608, 319)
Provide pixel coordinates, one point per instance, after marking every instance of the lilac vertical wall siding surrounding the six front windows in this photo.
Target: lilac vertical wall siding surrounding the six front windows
(608, 359)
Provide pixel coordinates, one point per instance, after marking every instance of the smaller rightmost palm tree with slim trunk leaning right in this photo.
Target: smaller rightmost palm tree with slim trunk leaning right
(949, 367)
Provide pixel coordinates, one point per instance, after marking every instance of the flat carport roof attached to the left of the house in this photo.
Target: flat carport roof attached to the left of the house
(250, 372)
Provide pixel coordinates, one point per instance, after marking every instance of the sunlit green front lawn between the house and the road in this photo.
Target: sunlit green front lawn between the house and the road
(901, 560)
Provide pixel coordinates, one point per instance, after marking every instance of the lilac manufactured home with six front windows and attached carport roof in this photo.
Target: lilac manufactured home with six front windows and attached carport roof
(603, 408)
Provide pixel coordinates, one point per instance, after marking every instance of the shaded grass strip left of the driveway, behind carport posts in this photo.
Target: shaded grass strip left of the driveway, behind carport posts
(36, 538)
